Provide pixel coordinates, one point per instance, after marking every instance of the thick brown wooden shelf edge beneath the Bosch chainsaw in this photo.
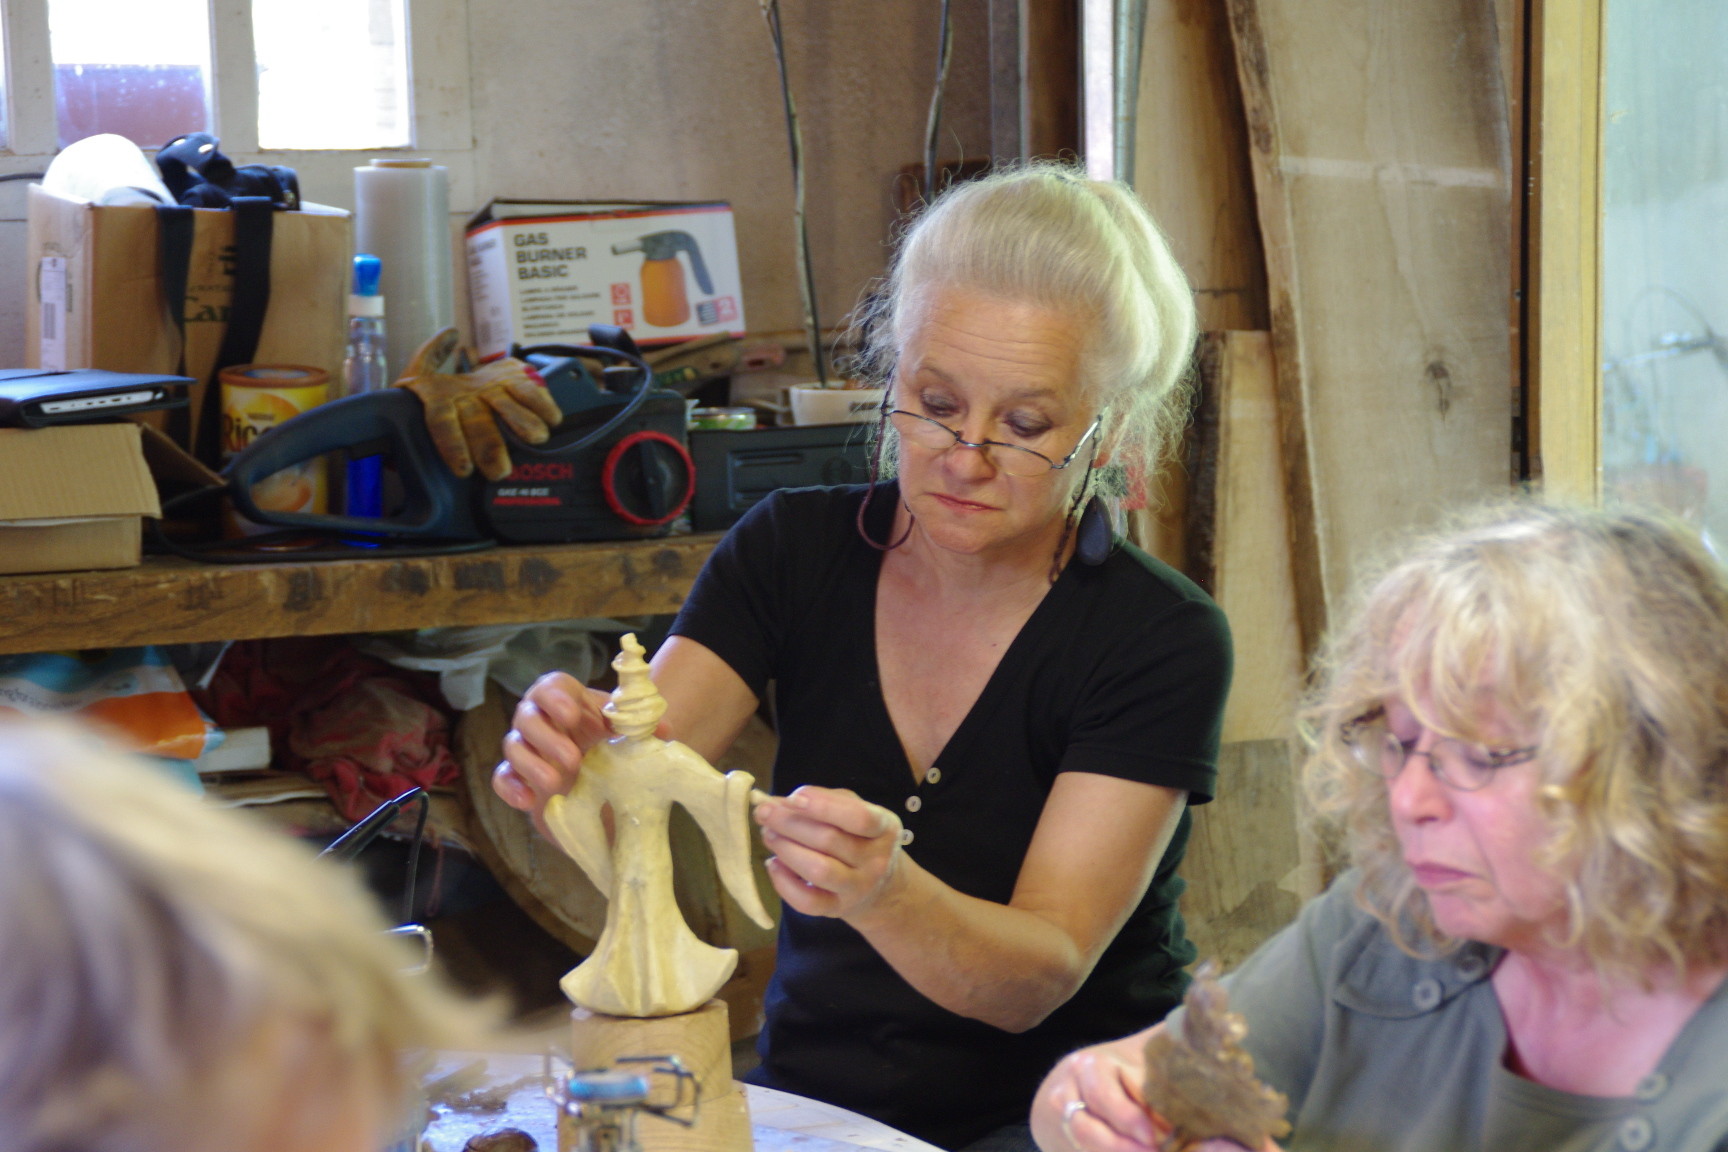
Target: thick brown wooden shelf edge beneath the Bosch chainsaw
(170, 600)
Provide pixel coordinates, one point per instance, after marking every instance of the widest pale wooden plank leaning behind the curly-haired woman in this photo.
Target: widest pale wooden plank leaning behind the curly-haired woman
(1382, 155)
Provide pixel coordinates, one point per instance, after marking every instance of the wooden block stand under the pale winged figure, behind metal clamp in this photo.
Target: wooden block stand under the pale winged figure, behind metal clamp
(702, 1041)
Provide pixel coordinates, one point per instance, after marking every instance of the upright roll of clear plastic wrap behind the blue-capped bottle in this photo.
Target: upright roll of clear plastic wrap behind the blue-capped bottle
(402, 215)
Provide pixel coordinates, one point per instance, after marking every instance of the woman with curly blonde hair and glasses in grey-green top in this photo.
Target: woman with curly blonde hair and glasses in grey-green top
(1522, 742)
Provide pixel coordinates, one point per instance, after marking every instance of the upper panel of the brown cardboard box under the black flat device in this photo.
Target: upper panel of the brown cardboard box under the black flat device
(75, 471)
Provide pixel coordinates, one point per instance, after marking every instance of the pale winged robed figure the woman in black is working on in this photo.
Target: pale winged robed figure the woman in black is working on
(647, 961)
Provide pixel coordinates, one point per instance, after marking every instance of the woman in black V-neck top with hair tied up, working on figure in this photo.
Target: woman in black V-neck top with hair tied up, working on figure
(993, 712)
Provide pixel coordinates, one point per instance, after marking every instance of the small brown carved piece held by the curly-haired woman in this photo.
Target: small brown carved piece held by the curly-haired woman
(1200, 1079)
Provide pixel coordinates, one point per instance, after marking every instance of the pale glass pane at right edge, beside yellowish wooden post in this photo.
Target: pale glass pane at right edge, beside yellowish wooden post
(1665, 237)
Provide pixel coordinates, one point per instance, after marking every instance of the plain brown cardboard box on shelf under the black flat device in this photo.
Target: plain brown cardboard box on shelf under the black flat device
(73, 498)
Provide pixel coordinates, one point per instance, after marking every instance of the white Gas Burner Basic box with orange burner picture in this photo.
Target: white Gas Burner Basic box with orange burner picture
(543, 272)
